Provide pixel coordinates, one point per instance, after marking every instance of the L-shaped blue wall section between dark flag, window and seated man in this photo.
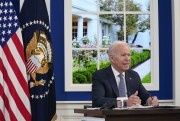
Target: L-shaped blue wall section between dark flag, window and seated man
(57, 30)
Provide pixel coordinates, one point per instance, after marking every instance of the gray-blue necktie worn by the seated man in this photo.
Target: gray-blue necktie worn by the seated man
(122, 86)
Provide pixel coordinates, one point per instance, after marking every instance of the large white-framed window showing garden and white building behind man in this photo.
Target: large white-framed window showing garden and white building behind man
(98, 23)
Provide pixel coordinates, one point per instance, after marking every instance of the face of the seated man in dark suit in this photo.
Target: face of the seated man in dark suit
(121, 58)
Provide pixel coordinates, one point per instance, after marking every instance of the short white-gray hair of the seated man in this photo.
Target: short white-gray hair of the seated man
(114, 45)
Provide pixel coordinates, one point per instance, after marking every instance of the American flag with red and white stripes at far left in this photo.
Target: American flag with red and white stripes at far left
(14, 92)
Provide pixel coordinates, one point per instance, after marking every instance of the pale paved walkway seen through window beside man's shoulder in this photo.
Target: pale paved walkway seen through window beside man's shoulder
(143, 69)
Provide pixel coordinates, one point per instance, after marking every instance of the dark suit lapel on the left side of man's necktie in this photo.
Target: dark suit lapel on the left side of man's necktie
(112, 81)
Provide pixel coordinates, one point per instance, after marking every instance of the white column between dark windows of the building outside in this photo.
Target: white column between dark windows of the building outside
(80, 28)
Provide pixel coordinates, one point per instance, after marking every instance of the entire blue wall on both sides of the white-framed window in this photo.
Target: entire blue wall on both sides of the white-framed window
(165, 52)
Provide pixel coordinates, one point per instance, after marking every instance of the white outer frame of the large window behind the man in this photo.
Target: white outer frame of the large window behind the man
(70, 87)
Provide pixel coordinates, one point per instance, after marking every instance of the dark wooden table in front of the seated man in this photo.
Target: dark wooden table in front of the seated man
(164, 113)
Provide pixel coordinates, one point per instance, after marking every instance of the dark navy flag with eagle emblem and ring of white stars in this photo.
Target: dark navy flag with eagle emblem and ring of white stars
(35, 27)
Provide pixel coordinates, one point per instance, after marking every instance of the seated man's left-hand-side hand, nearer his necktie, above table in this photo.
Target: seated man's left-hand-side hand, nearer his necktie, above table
(134, 100)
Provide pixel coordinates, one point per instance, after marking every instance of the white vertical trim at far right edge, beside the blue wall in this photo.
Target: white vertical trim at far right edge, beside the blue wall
(176, 50)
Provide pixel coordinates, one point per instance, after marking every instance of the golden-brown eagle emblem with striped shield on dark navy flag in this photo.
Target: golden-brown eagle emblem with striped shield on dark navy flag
(38, 56)
